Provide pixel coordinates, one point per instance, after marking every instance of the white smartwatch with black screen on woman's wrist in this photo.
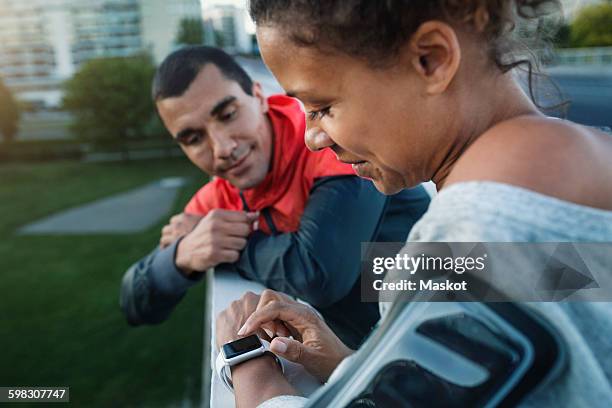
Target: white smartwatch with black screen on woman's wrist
(239, 351)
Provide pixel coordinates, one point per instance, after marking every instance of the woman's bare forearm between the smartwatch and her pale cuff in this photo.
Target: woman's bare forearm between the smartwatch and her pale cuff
(259, 380)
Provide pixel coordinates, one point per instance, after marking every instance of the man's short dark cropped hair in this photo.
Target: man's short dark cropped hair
(180, 68)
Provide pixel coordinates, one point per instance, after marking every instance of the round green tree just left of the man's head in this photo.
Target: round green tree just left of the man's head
(111, 99)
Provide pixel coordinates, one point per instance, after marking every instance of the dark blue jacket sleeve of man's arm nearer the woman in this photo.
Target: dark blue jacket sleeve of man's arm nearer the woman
(319, 262)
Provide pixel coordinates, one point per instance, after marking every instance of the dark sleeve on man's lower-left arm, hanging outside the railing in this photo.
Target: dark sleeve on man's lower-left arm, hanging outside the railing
(153, 286)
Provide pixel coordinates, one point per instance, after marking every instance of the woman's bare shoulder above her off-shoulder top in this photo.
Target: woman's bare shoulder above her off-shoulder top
(550, 156)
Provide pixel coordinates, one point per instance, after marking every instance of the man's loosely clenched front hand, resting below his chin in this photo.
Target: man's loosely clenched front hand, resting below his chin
(217, 238)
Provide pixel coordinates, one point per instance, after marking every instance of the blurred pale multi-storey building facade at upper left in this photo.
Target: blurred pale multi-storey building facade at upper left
(43, 42)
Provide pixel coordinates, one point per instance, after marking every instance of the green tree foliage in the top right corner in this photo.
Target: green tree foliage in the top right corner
(593, 26)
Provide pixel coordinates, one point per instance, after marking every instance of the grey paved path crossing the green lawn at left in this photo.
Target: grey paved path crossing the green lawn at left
(125, 213)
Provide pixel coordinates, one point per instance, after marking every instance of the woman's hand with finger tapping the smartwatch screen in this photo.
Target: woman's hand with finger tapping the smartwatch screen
(314, 345)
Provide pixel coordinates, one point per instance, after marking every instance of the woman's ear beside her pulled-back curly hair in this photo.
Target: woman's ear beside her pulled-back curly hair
(435, 55)
